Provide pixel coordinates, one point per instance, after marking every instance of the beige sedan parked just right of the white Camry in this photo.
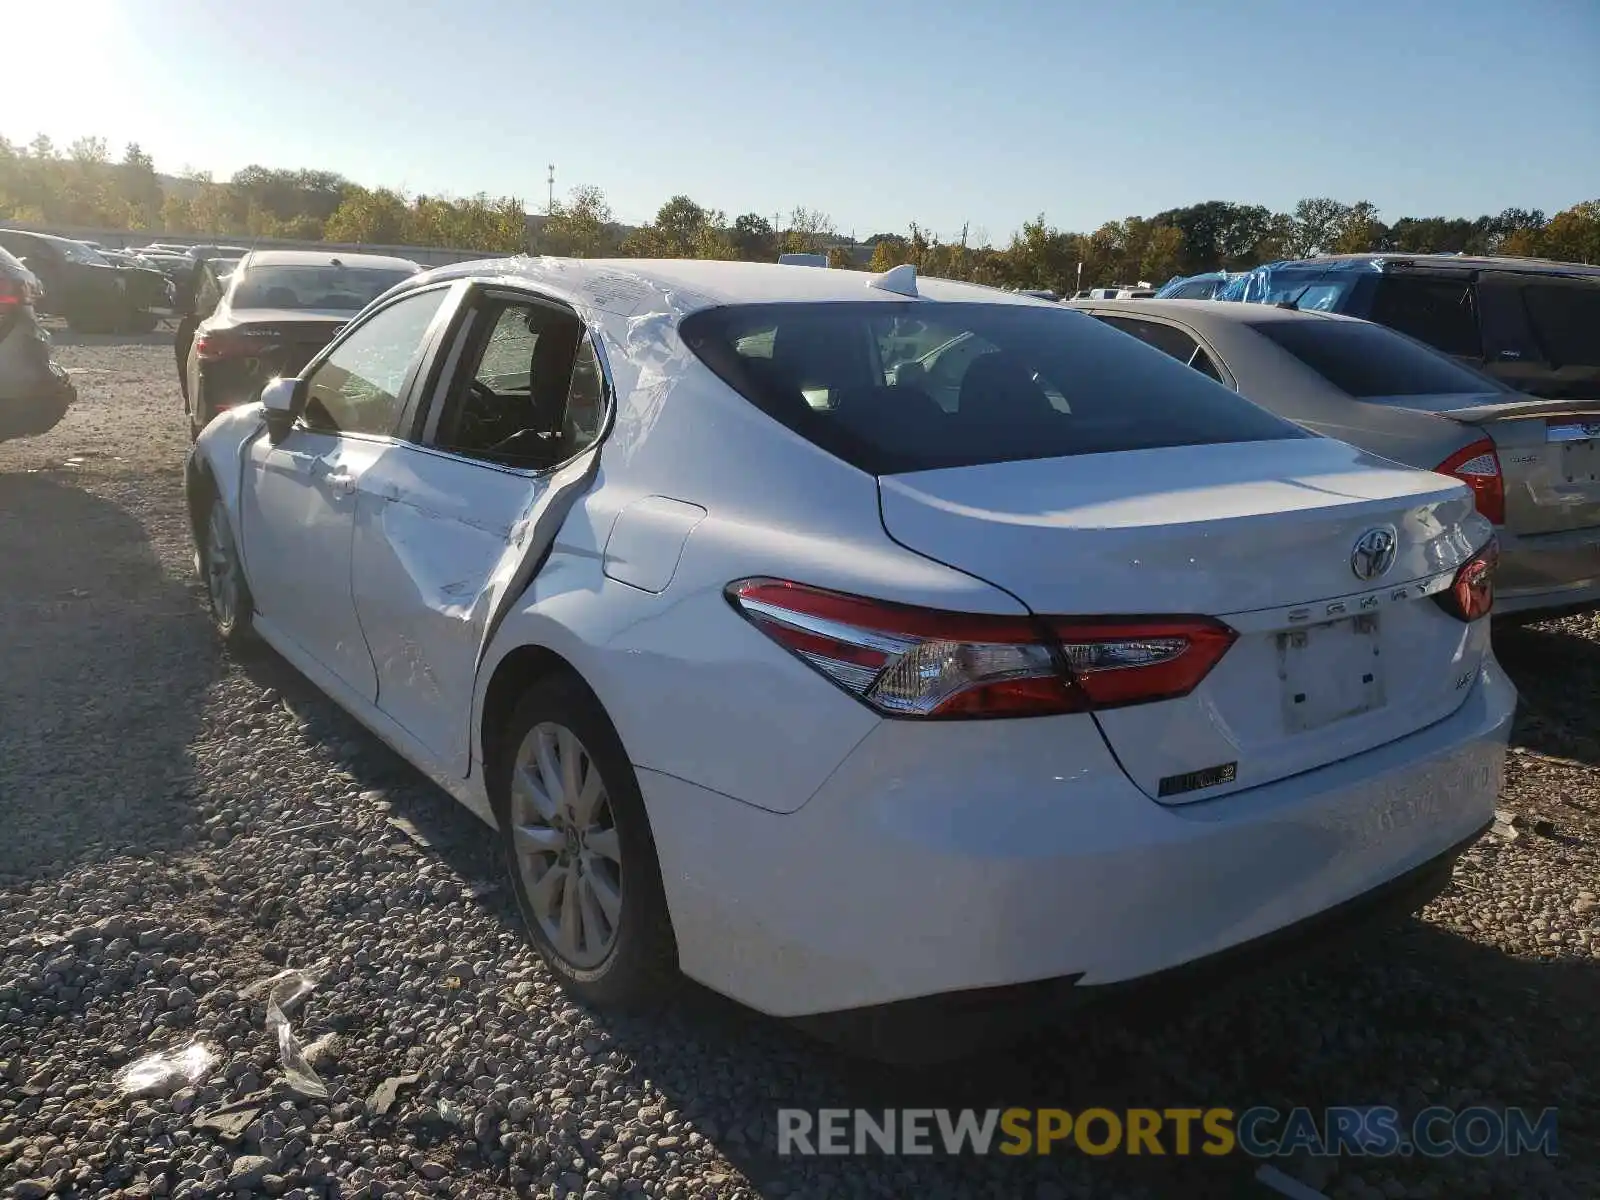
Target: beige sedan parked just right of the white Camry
(1534, 465)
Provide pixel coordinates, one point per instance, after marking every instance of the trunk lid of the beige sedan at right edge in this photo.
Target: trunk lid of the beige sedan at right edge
(1550, 454)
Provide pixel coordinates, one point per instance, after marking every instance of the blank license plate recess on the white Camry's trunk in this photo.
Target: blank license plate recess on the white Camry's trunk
(1329, 673)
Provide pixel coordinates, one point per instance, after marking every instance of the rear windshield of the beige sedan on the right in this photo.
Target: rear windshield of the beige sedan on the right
(1369, 361)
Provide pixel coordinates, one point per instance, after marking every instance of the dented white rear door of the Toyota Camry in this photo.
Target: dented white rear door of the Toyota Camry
(444, 545)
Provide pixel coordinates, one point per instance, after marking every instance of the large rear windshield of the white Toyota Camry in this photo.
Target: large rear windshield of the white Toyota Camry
(916, 386)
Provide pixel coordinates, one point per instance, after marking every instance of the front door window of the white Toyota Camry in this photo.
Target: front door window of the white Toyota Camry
(358, 388)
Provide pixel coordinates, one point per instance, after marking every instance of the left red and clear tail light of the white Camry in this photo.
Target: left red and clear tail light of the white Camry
(908, 662)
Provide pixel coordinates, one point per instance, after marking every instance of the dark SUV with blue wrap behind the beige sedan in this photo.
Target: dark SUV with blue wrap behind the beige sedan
(1532, 324)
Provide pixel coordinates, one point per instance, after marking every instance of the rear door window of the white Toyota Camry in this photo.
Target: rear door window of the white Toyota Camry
(529, 393)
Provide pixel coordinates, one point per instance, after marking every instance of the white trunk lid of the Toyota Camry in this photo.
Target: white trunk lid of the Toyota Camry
(1262, 535)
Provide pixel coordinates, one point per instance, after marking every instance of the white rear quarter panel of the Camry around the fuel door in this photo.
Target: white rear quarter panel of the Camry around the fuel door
(695, 690)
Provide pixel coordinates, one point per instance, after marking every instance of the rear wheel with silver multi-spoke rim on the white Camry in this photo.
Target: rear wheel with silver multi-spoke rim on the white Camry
(580, 850)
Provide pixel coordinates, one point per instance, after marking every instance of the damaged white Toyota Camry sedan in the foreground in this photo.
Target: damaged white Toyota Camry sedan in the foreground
(857, 690)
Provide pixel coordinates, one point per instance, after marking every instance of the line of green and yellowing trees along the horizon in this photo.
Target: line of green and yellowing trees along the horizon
(86, 186)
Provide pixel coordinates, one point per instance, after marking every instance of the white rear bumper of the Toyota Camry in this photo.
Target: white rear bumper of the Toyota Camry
(996, 854)
